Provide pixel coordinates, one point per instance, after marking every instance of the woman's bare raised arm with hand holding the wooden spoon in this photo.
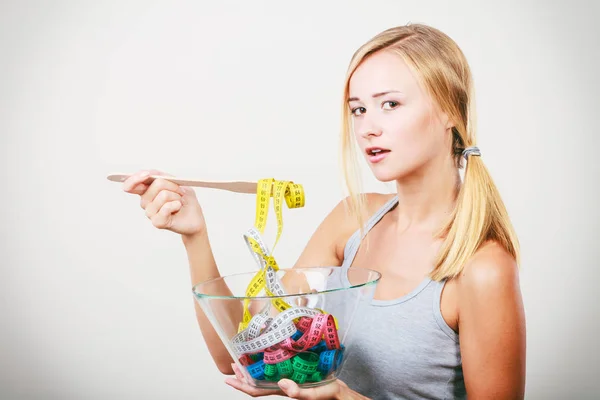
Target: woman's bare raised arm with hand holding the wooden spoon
(171, 207)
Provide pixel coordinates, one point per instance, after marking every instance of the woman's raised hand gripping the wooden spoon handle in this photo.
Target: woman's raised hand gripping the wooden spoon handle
(168, 205)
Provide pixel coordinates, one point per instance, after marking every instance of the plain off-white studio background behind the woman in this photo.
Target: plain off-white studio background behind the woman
(96, 303)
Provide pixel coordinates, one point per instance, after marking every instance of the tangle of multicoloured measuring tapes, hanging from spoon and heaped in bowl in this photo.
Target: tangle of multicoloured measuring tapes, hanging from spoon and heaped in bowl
(299, 343)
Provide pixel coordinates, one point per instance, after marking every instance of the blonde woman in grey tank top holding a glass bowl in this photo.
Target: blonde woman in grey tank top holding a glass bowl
(445, 247)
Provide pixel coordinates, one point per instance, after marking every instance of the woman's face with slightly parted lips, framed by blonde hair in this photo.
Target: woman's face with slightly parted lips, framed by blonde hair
(396, 126)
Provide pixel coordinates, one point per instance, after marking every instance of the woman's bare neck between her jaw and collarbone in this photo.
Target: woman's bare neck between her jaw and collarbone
(426, 199)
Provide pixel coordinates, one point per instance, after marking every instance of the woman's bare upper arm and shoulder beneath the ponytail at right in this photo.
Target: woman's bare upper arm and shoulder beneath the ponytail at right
(492, 326)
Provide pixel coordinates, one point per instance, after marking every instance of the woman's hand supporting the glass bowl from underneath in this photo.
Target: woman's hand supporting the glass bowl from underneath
(289, 388)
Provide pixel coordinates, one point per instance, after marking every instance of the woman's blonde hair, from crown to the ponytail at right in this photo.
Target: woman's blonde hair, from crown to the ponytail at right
(479, 214)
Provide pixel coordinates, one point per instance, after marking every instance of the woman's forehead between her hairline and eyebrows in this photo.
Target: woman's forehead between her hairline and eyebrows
(380, 72)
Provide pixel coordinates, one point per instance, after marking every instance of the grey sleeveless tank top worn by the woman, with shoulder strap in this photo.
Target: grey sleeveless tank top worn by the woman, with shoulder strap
(401, 348)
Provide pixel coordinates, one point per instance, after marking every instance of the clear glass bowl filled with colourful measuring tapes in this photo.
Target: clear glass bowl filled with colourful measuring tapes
(298, 329)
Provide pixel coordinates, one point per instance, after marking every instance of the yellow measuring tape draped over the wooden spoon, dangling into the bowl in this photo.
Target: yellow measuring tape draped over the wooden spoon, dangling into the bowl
(293, 194)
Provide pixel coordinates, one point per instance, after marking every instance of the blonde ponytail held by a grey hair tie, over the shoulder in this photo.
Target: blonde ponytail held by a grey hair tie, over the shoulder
(479, 216)
